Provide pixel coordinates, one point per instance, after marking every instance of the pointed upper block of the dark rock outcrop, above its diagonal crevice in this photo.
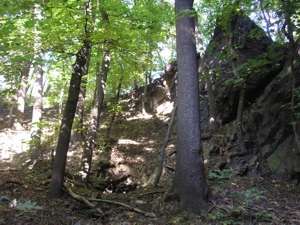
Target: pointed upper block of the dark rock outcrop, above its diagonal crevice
(258, 59)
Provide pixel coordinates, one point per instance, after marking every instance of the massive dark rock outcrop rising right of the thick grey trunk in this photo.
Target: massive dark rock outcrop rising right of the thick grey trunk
(267, 117)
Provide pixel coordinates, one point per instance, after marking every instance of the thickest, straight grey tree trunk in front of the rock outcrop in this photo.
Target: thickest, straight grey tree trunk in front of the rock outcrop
(190, 179)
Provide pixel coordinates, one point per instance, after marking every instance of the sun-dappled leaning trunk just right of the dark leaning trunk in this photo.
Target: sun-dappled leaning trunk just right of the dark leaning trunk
(91, 140)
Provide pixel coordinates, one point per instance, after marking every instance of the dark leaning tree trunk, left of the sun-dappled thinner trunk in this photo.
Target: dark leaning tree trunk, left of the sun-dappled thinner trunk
(79, 70)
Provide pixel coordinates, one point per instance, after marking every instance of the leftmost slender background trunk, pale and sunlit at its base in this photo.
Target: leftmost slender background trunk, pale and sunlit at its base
(21, 93)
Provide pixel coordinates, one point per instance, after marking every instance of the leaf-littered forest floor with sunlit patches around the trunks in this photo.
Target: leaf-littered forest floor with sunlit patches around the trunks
(133, 156)
